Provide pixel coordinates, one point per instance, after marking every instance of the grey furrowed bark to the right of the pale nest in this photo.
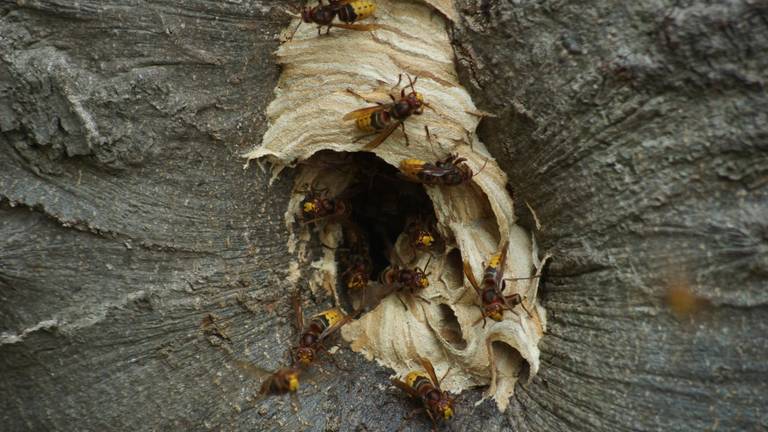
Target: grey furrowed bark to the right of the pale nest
(637, 133)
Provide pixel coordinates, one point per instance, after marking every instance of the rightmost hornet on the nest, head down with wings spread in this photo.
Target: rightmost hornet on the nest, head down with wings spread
(491, 293)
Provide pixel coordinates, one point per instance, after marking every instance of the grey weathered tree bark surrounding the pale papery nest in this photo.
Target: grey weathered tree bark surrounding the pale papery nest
(636, 132)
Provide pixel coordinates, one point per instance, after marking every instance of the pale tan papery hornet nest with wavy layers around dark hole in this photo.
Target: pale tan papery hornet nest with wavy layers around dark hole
(306, 118)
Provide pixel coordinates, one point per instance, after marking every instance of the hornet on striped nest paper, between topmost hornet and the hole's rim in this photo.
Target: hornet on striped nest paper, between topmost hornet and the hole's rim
(381, 120)
